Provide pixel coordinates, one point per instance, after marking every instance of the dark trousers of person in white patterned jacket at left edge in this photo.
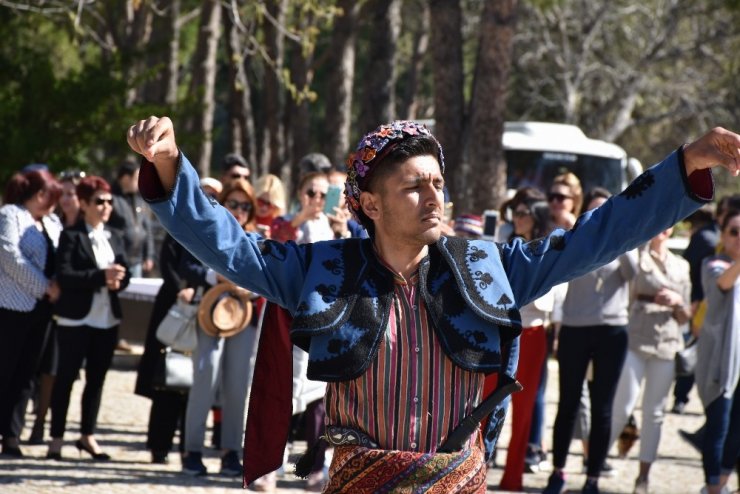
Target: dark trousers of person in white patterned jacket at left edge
(22, 336)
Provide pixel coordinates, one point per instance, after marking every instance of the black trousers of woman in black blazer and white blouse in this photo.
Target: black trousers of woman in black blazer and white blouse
(95, 347)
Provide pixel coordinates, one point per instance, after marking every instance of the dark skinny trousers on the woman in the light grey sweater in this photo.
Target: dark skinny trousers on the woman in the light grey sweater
(607, 347)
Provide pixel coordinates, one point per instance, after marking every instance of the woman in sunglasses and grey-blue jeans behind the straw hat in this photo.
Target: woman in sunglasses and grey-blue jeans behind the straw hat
(220, 365)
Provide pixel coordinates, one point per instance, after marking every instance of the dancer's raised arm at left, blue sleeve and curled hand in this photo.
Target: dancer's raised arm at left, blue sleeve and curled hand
(171, 186)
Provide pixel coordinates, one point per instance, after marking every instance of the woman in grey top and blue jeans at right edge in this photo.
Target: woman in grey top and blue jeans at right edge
(718, 358)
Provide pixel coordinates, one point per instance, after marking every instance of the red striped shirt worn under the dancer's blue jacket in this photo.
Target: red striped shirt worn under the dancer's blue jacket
(412, 395)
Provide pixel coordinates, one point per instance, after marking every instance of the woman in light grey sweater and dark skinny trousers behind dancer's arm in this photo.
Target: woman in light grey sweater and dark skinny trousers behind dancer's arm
(594, 331)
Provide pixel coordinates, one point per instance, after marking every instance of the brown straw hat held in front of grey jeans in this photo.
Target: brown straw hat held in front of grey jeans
(224, 310)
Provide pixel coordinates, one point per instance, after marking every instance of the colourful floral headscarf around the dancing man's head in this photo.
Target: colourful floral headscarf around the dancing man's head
(371, 150)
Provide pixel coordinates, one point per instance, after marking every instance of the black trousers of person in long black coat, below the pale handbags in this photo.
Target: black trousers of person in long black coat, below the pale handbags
(166, 416)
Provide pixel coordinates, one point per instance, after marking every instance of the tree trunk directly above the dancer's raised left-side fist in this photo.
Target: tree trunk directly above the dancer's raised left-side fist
(162, 56)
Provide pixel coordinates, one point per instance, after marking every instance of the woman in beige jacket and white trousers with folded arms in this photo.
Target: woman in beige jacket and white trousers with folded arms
(659, 308)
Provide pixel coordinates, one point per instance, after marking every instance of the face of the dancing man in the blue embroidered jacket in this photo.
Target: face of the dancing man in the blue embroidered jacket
(410, 202)
